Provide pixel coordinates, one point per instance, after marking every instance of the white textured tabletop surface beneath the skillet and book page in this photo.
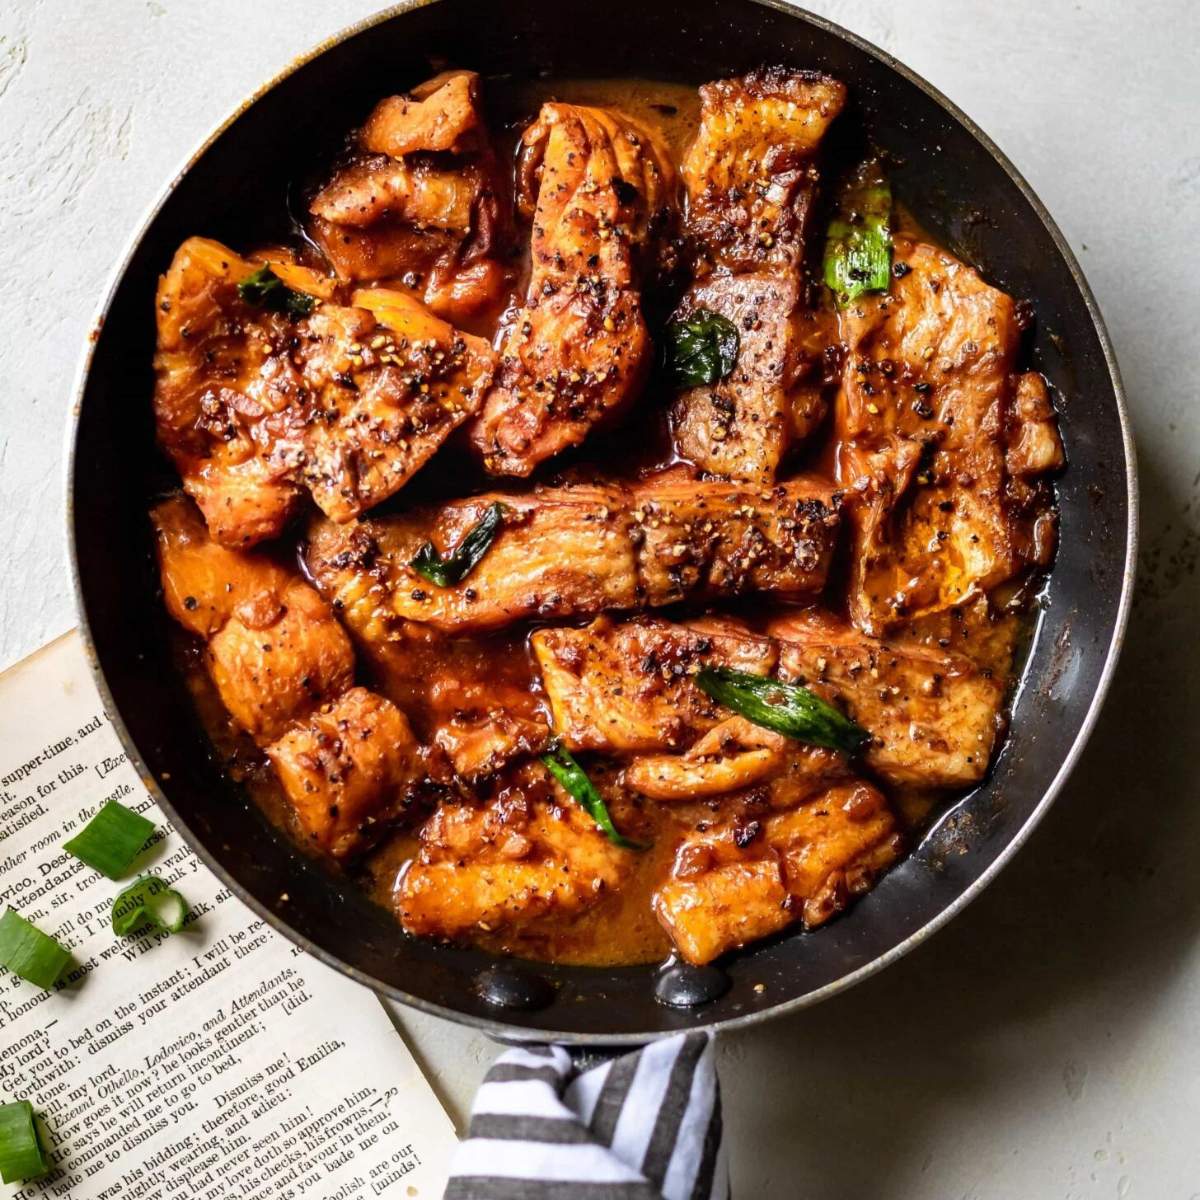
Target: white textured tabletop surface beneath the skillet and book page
(1048, 1043)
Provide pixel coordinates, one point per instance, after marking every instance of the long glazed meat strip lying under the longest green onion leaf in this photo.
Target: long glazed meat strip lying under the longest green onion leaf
(628, 689)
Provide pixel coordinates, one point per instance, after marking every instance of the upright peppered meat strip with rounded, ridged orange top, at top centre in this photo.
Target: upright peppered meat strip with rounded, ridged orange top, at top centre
(578, 353)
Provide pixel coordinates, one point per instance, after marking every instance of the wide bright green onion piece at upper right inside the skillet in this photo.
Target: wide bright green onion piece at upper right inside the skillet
(859, 245)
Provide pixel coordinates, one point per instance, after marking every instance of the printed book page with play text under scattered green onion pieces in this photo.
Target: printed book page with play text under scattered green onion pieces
(217, 1063)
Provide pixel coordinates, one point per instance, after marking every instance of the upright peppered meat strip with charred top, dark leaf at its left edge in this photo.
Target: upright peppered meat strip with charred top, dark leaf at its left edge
(752, 181)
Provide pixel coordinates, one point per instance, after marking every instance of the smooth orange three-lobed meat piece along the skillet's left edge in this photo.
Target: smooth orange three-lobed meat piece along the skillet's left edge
(285, 670)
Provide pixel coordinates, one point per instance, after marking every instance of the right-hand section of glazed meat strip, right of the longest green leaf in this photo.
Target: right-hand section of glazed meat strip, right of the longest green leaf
(934, 716)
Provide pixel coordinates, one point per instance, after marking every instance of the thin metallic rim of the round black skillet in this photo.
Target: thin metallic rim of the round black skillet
(499, 1029)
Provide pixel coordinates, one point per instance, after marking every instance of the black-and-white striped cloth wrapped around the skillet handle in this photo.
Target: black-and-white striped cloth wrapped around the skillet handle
(643, 1127)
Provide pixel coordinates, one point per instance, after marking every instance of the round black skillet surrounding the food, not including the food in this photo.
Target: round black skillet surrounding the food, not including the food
(951, 177)
